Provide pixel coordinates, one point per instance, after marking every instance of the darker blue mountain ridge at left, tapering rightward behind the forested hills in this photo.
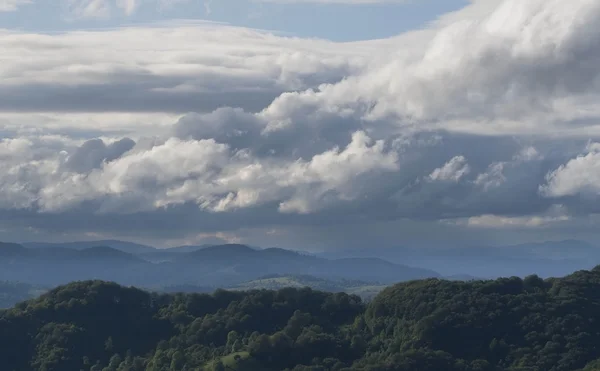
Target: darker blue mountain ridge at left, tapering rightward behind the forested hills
(212, 266)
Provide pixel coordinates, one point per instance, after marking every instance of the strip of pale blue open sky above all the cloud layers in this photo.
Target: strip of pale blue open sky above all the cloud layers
(337, 20)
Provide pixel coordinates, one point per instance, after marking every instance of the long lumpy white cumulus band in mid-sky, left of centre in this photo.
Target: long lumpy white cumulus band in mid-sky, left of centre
(210, 175)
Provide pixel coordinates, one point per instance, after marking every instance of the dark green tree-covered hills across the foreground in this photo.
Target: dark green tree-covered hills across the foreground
(429, 325)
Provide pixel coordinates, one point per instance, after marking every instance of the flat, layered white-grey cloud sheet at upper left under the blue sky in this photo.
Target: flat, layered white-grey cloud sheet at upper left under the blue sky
(163, 69)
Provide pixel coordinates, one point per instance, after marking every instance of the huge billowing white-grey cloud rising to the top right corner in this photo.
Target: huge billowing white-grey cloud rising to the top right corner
(514, 70)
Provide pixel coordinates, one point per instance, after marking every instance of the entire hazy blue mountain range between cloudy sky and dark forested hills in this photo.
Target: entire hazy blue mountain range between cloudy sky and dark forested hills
(231, 264)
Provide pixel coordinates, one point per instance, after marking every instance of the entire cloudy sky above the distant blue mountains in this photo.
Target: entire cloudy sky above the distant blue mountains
(321, 124)
